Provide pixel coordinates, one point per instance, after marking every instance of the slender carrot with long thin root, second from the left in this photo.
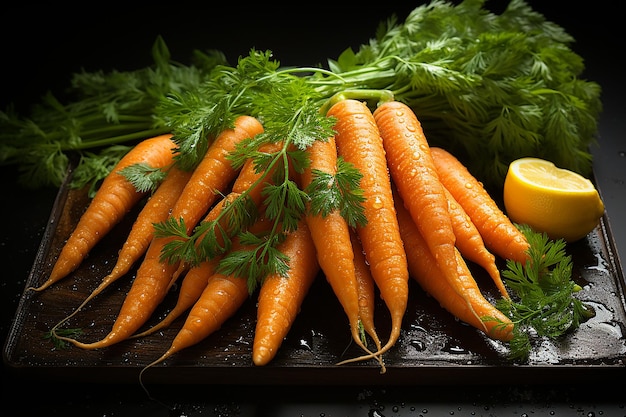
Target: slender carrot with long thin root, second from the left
(156, 209)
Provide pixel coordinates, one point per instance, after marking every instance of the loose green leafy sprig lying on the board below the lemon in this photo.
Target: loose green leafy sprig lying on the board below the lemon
(544, 304)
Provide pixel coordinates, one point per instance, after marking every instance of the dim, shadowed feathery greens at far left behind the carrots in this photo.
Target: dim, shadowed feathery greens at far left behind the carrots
(105, 110)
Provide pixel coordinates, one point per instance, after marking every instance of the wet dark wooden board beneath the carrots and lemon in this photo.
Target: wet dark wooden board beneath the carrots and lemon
(434, 347)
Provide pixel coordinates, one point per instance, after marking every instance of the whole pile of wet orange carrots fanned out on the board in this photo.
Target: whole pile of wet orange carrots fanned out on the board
(423, 215)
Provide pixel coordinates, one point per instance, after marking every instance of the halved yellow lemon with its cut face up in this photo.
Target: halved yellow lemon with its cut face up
(557, 201)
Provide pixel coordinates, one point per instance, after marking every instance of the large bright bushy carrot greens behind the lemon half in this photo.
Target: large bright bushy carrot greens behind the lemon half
(490, 88)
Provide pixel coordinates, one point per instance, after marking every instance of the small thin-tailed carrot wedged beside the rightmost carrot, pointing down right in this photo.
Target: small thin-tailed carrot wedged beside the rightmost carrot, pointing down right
(470, 243)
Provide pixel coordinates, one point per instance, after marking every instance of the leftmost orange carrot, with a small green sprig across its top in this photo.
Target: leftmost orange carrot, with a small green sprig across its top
(113, 200)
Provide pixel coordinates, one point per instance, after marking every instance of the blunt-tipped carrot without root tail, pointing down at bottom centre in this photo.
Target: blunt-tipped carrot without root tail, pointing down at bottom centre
(280, 297)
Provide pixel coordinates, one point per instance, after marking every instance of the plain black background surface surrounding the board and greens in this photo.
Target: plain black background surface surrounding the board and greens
(112, 39)
